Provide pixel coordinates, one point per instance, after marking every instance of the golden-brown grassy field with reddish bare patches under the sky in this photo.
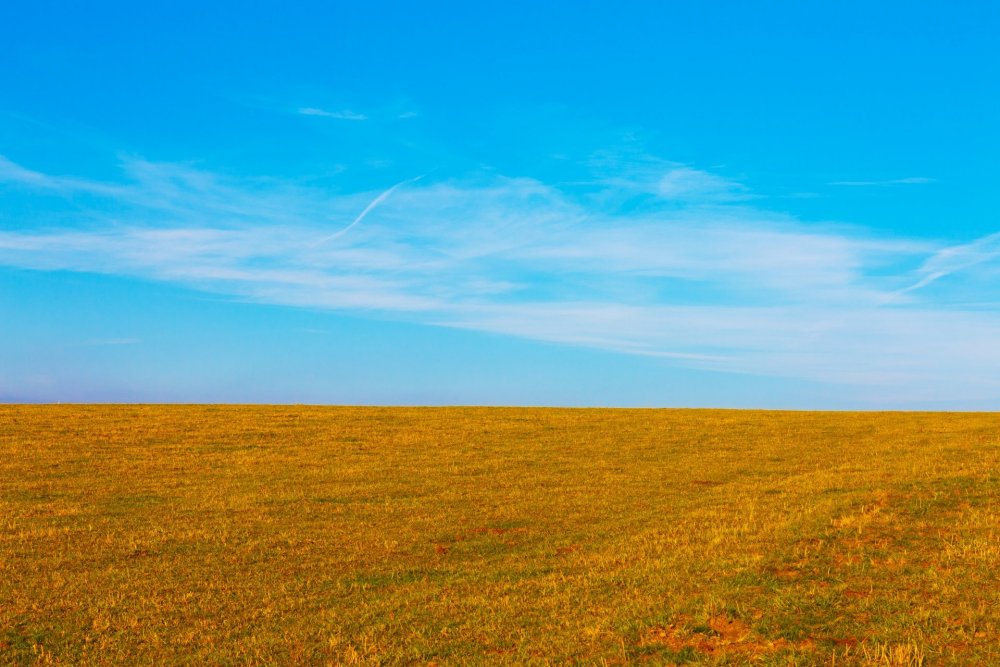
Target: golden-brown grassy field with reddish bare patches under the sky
(300, 535)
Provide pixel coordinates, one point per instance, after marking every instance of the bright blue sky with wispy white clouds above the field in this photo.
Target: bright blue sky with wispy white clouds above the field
(674, 204)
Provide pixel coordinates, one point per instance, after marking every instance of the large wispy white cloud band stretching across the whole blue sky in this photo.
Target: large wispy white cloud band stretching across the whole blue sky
(710, 282)
